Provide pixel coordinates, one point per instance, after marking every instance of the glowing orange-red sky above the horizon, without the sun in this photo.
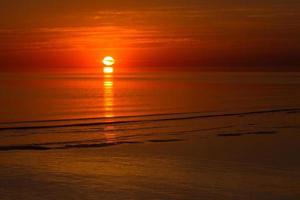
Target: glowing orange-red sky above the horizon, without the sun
(73, 35)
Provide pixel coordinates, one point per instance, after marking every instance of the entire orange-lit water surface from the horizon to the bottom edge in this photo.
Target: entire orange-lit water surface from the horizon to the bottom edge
(208, 135)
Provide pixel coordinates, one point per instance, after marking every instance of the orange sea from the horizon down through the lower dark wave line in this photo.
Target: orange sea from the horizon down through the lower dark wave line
(67, 106)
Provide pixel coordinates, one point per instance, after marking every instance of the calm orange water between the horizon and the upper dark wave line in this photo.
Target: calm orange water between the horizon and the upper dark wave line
(75, 96)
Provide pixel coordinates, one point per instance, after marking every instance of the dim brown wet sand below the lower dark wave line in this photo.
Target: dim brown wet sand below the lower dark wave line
(260, 162)
